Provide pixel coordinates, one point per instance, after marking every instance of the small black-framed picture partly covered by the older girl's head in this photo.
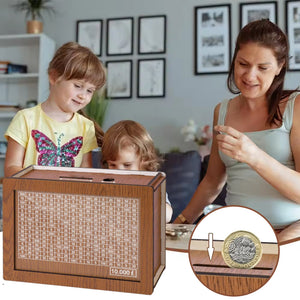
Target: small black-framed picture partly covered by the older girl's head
(89, 34)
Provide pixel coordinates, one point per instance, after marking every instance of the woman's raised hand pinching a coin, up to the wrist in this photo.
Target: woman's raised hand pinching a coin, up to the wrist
(236, 145)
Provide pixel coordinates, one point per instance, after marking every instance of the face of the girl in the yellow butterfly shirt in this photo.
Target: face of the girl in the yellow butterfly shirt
(71, 95)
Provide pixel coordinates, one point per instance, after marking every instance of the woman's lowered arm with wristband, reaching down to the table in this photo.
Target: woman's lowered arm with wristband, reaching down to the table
(210, 186)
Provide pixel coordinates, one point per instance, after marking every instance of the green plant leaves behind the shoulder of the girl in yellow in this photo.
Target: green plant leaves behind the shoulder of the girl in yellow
(97, 108)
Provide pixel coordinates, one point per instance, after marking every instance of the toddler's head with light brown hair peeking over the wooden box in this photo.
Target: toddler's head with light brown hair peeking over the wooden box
(127, 145)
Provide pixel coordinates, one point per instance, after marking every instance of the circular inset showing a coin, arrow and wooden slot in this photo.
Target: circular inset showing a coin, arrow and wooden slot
(233, 251)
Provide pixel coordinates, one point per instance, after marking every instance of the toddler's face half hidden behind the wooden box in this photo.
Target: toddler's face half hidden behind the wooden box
(126, 160)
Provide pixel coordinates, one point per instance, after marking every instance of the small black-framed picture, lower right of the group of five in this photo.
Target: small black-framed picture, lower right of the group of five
(151, 78)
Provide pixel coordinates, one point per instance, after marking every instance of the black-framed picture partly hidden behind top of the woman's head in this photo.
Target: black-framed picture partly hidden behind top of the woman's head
(253, 11)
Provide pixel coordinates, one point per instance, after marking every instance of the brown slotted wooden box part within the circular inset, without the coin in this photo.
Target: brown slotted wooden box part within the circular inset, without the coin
(220, 278)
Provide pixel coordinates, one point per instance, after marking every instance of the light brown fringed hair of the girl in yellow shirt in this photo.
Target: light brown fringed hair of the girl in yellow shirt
(73, 61)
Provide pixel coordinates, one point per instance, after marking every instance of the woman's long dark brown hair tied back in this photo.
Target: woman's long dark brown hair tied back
(268, 35)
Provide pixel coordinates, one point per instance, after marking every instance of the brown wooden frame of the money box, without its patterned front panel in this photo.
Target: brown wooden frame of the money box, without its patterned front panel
(148, 188)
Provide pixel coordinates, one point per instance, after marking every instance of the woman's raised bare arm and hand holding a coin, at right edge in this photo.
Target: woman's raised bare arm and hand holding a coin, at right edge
(238, 146)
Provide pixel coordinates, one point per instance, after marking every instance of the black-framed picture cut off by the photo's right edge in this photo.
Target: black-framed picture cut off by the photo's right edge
(293, 31)
